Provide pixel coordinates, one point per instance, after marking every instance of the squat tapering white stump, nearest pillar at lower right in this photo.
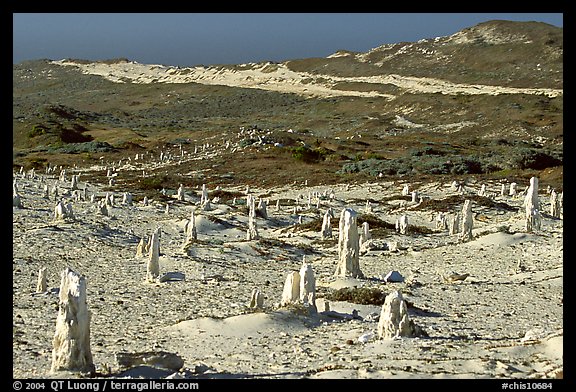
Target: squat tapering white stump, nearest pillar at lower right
(394, 321)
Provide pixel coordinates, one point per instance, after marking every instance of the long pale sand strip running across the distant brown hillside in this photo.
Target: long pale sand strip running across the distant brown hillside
(282, 79)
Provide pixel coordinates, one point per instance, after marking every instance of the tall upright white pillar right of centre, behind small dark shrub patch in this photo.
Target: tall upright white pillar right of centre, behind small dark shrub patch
(348, 245)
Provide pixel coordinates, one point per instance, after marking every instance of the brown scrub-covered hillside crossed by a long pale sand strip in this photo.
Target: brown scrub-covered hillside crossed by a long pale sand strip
(495, 88)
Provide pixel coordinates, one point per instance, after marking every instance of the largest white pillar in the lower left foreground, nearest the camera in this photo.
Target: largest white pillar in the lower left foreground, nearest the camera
(71, 342)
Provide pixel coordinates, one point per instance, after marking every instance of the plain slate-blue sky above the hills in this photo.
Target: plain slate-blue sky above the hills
(187, 39)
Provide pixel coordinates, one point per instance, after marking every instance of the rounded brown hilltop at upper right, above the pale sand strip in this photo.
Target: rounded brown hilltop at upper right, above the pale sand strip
(503, 53)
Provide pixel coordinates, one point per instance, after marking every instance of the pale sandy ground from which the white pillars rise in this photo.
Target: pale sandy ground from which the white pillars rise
(505, 320)
